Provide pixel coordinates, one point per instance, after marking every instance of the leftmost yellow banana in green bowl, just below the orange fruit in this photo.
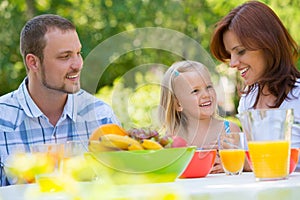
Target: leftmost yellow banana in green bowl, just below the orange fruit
(117, 141)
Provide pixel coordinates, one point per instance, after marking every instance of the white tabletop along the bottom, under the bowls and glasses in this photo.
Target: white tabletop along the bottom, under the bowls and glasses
(217, 186)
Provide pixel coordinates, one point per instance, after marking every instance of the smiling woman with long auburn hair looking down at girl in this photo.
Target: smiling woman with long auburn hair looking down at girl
(252, 39)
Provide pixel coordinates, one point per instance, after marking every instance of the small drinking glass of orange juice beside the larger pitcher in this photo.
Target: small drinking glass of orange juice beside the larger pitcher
(232, 152)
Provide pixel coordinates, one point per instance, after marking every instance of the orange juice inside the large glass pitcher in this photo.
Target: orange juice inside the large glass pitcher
(270, 159)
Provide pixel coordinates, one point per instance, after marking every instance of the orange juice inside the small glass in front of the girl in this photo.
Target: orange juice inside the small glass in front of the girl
(232, 159)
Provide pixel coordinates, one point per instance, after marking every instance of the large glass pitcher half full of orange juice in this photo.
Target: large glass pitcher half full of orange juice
(269, 133)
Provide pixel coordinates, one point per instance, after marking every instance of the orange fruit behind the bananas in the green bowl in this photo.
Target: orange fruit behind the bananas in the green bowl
(107, 129)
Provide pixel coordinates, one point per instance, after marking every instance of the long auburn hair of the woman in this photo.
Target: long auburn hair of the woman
(259, 28)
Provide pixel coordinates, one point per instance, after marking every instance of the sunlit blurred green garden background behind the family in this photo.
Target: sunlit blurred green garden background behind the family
(130, 81)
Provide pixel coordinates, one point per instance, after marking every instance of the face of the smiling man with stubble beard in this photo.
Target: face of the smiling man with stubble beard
(60, 69)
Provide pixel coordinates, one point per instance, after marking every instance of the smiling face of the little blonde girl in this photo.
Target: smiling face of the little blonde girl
(195, 94)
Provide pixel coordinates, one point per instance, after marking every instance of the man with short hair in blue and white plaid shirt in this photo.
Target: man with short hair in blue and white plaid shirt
(49, 106)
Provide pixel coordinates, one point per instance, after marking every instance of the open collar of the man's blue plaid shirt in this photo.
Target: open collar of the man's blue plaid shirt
(32, 110)
